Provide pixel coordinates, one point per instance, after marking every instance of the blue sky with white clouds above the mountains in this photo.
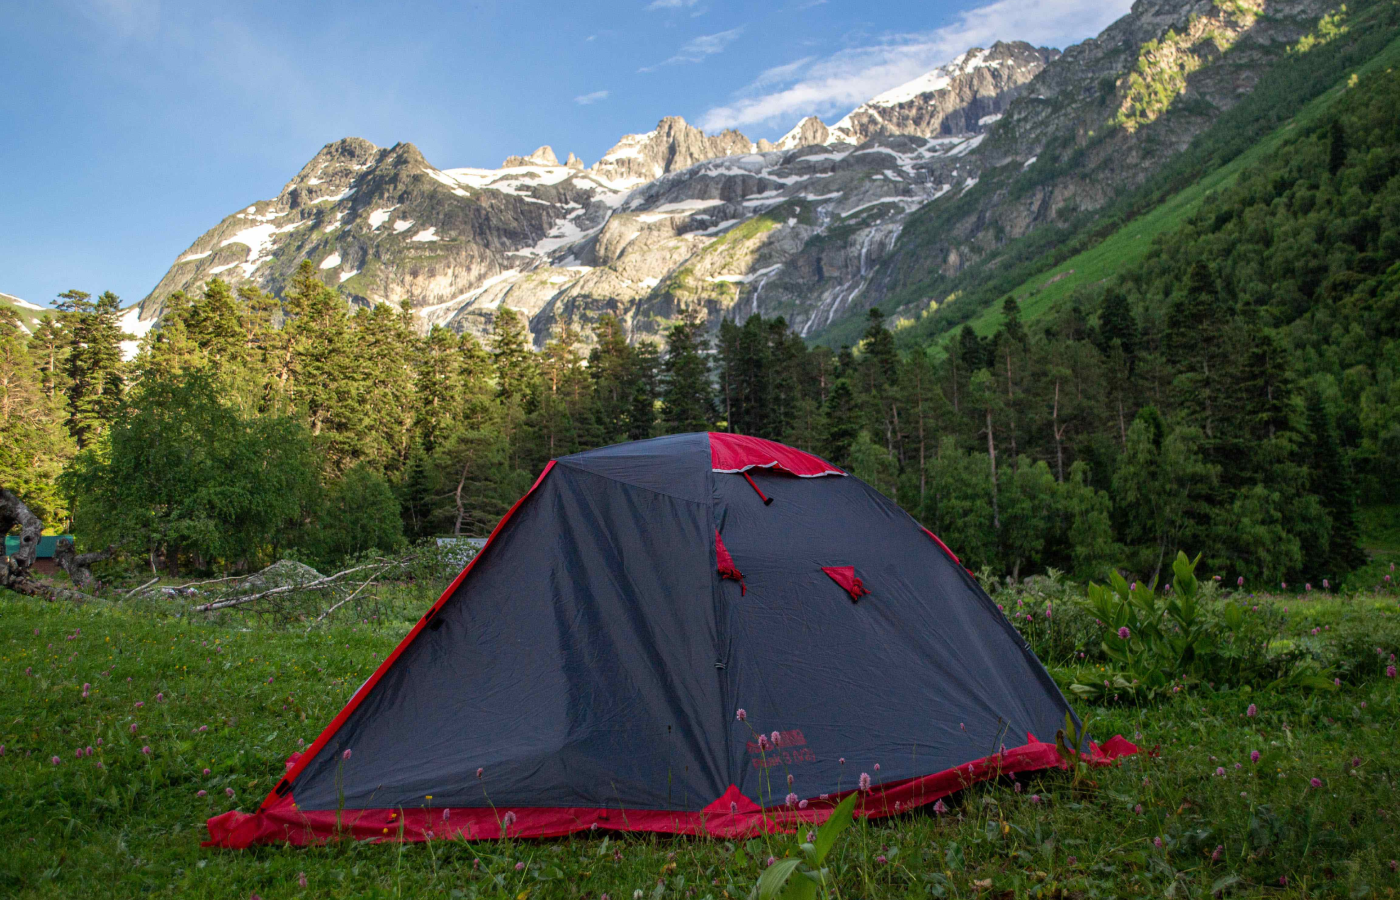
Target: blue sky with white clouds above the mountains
(128, 128)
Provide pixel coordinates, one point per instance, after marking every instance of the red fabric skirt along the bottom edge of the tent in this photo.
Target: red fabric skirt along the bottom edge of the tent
(731, 815)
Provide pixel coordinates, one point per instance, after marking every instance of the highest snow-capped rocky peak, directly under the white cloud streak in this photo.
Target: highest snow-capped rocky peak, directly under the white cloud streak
(960, 99)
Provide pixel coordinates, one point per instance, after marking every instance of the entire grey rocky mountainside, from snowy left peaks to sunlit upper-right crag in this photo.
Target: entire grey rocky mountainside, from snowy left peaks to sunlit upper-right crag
(815, 227)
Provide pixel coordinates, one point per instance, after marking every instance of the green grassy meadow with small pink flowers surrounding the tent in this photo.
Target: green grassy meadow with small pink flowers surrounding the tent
(227, 698)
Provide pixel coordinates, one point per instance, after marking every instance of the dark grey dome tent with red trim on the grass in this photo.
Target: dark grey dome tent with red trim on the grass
(589, 667)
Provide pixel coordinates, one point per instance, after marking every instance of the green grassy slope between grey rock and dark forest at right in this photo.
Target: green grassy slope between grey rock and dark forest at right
(1097, 243)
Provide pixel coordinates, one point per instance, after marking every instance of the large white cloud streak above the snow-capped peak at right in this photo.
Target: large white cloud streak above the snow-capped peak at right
(852, 76)
